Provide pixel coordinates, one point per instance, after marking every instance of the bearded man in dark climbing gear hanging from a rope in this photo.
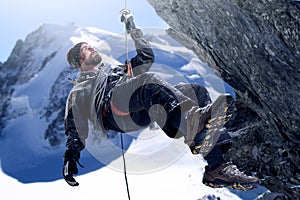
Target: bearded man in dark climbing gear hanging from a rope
(112, 100)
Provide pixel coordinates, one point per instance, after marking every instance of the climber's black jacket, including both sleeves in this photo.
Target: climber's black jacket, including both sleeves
(84, 103)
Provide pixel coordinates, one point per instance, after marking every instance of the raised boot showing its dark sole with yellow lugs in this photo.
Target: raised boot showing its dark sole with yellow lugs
(213, 119)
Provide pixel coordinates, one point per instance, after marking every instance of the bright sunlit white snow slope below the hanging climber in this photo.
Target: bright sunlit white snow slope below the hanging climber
(177, 181)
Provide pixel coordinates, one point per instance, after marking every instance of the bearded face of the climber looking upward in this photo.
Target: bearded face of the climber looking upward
(89, 56)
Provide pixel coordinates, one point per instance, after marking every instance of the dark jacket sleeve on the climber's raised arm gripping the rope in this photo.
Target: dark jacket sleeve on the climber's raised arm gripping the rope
(142, 62)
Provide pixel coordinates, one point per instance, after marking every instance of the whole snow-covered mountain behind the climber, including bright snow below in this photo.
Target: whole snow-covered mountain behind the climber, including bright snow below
(34, 88)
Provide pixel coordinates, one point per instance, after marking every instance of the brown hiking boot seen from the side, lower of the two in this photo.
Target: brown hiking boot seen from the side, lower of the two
(228, 175)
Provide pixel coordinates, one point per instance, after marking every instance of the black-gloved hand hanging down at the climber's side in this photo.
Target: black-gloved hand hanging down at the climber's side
(70, 166)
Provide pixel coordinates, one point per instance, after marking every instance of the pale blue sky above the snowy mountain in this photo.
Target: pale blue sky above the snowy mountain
(19, 18)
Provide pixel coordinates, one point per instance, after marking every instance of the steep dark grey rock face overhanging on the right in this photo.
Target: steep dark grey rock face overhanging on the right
(254, 46)
